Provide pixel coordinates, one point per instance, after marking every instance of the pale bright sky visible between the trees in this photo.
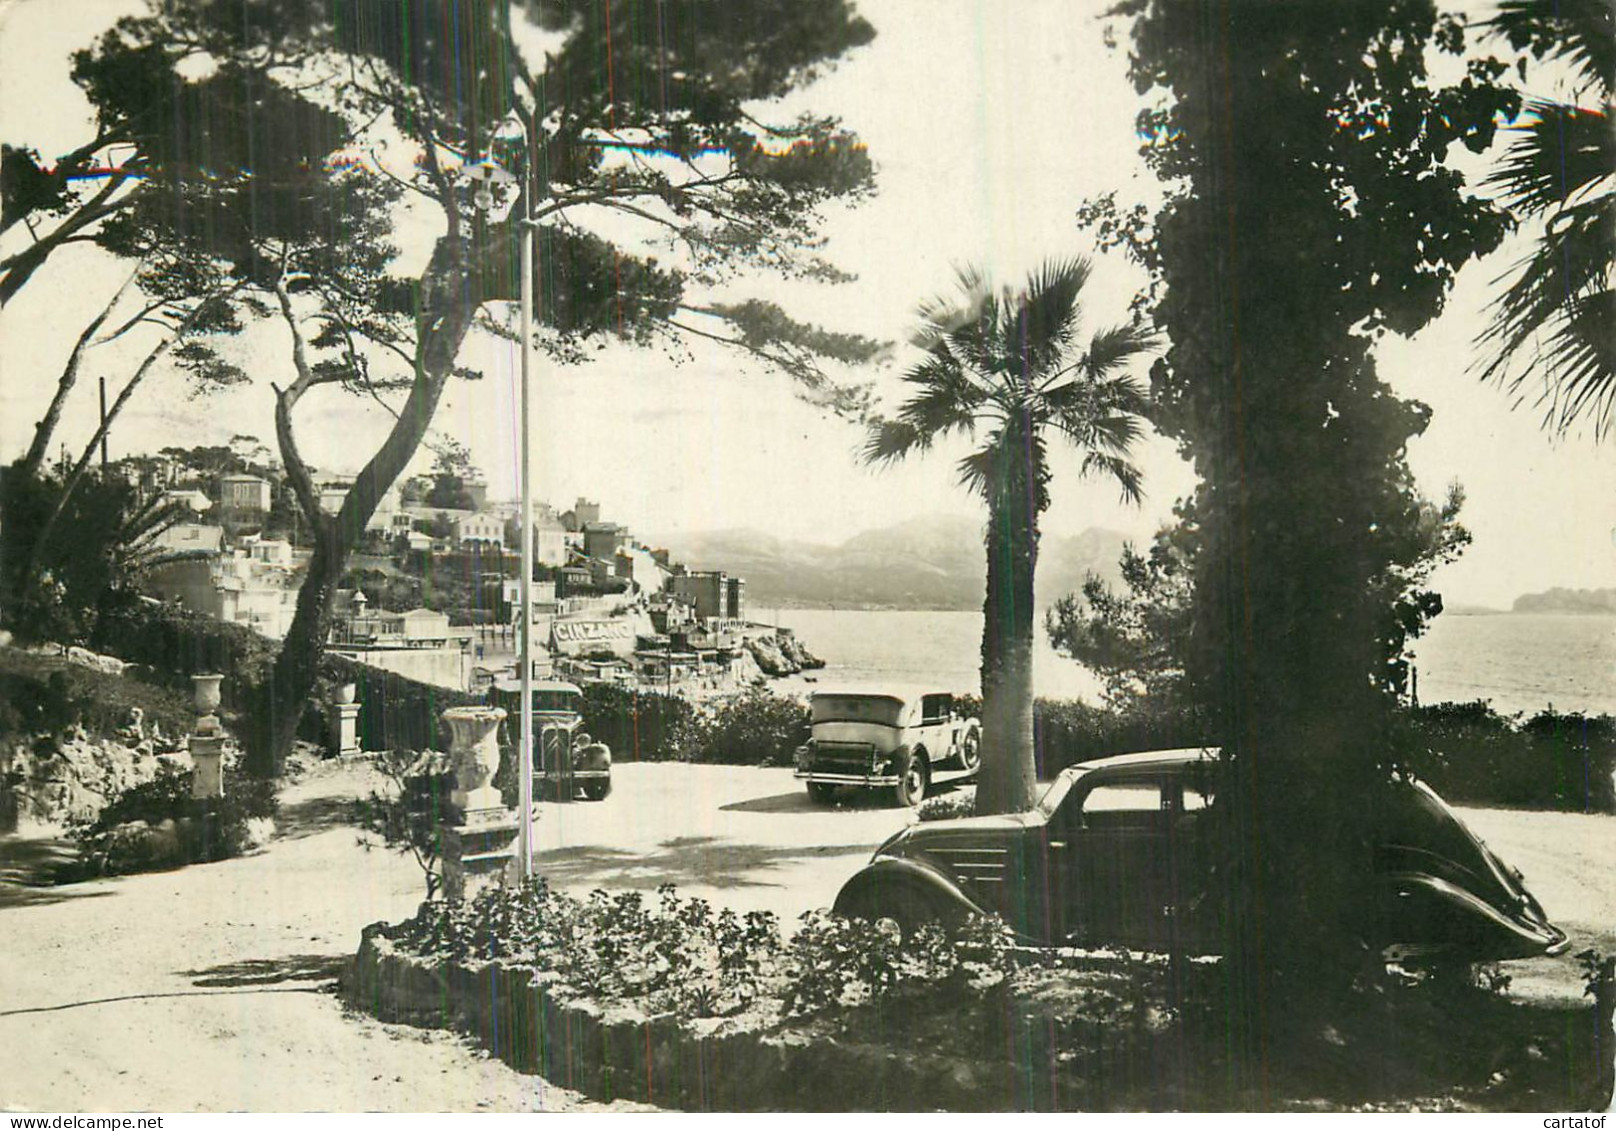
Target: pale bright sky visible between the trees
(988, 124)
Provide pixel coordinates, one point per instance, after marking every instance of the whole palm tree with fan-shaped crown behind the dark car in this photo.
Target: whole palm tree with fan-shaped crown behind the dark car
(1004, 369)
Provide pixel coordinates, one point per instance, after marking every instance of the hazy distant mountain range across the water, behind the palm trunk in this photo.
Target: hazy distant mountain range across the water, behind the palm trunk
(927, 563)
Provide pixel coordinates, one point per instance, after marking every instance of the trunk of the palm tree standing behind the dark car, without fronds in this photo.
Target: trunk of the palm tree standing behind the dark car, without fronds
(1008, 781)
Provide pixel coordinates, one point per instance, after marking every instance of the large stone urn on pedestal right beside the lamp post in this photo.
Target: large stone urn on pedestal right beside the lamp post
(479, 830)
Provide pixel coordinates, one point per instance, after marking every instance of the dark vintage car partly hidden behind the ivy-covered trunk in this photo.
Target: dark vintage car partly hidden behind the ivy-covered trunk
(1119, 852)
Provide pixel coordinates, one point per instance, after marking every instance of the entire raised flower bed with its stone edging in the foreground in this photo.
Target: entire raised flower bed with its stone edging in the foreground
(675, 1003)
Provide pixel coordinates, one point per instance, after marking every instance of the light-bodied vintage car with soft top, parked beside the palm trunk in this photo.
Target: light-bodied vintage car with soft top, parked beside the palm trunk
(901, 741)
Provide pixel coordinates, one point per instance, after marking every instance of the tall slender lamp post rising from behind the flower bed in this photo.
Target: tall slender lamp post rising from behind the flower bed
(489, 175)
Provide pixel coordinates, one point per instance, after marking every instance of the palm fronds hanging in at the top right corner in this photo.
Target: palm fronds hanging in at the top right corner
(1559, 309)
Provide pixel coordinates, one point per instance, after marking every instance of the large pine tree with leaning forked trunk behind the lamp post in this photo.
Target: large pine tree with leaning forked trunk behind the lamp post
(308, 237)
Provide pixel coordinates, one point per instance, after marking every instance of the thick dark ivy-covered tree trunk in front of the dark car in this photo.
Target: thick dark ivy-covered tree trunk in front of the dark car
(1310, 209)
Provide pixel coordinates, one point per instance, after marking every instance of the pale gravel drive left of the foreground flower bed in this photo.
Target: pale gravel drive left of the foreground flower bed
(213, 988)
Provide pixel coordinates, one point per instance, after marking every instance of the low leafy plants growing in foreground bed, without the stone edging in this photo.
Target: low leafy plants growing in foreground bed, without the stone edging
(1116, 1030)
